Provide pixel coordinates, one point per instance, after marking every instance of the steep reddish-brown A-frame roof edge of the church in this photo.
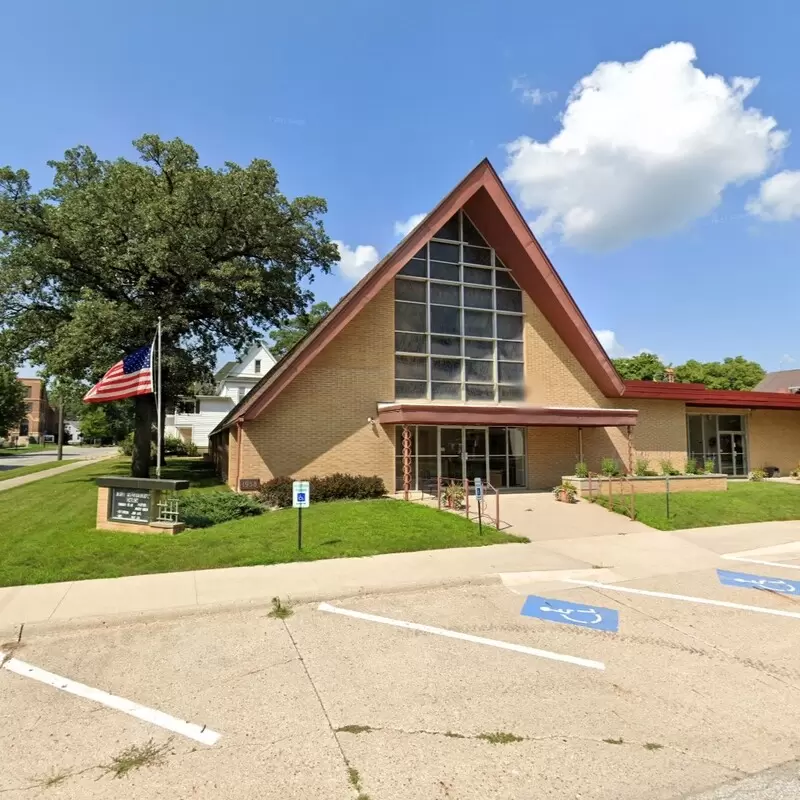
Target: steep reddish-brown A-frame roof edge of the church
(482, 195)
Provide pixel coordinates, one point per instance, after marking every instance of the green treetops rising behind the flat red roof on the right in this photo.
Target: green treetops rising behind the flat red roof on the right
(731, 373)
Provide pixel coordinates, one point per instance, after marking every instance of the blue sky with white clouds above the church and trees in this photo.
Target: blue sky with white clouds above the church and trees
(645, 187)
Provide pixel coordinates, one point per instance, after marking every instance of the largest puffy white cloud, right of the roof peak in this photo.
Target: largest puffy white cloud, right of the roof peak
(644, 148)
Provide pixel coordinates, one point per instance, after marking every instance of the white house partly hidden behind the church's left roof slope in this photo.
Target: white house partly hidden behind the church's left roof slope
(195, 417)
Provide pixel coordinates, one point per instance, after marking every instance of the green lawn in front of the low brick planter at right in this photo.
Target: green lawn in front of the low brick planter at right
(743, 502)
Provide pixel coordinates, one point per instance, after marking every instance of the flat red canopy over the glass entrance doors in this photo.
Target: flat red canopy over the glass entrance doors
(439, 414)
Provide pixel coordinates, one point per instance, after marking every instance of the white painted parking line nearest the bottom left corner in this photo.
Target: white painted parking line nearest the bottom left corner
(200, 733)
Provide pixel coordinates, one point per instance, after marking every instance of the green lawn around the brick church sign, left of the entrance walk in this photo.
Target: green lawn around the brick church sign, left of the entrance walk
(47, 532)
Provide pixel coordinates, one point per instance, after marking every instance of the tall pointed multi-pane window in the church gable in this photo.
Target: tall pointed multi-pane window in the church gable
(458, 321)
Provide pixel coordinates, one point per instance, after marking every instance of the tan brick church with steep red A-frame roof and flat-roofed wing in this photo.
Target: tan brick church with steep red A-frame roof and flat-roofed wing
(465, 341)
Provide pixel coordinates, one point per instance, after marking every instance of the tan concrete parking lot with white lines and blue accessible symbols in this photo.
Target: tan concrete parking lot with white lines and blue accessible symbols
(692, 683)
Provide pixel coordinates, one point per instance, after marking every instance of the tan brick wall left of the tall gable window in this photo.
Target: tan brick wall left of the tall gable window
(318, 424)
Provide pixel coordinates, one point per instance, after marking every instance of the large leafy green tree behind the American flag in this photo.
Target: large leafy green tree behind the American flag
(88, 265)
